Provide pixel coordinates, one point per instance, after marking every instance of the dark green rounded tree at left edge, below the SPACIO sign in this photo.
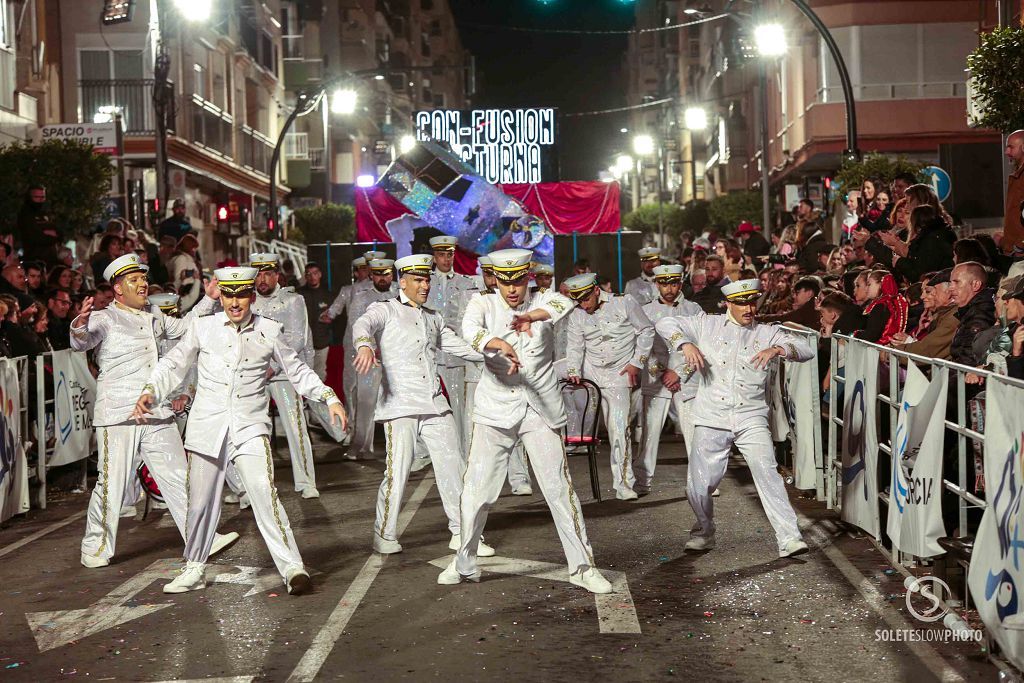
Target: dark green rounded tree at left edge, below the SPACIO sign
(77, 182)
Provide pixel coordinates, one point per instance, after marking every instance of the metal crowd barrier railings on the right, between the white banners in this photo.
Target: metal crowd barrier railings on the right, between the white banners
(967, 438)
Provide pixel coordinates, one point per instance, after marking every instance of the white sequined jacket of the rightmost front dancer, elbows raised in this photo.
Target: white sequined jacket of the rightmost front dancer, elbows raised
(732, 393)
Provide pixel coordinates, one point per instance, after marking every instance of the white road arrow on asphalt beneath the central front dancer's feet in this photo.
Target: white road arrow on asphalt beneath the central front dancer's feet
(616, 612)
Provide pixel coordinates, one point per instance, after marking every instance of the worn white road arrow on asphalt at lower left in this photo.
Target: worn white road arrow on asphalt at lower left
(55, 629)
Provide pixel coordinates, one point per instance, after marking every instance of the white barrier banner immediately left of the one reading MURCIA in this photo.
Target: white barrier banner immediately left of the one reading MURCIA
(861, 445)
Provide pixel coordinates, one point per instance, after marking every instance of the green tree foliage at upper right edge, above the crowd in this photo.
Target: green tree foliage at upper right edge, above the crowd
(998, 79)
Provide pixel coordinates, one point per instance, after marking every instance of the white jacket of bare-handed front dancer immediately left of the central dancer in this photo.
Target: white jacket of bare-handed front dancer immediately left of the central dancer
(409, 339)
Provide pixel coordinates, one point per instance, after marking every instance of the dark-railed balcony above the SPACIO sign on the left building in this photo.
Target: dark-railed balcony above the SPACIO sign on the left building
(132, 98)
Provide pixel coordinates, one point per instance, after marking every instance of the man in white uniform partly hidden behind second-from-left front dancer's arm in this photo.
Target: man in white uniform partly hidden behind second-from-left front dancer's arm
(284, 306)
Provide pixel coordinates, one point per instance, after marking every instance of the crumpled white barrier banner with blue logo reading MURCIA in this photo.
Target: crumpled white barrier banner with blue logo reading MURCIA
(915, 523)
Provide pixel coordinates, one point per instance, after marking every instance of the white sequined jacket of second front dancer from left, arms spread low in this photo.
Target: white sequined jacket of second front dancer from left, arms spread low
(232, 401)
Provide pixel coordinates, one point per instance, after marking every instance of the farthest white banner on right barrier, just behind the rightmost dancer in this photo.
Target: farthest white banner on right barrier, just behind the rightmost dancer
(803, 403)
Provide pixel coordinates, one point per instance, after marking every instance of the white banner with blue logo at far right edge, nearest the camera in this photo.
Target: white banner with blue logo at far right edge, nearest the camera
(997, 574)
